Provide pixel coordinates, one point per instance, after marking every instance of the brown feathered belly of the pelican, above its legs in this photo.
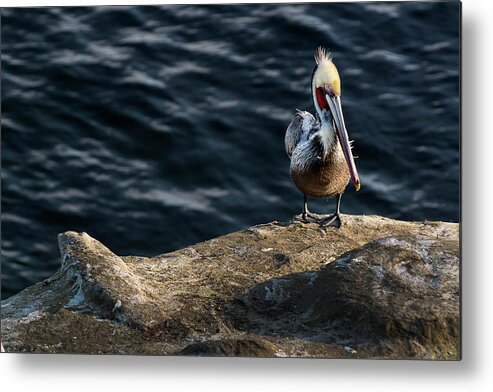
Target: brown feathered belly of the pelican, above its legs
(325, 177)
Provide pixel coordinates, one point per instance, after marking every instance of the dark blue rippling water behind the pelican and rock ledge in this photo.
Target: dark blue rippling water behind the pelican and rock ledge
(152, 128)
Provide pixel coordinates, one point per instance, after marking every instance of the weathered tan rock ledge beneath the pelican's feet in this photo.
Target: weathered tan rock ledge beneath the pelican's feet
(375, 288)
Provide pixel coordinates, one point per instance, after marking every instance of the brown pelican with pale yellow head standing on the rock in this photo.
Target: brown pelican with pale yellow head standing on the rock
(321, 159)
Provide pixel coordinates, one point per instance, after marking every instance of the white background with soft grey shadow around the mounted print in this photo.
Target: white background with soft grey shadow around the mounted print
(85, 373)
